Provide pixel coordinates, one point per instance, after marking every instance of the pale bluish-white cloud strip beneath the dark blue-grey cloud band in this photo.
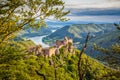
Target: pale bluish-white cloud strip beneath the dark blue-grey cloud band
(95, 18)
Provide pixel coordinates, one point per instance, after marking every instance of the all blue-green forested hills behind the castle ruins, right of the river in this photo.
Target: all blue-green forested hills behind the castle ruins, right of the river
(103, 35)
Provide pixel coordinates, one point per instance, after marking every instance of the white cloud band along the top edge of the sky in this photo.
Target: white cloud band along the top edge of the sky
(92, 4)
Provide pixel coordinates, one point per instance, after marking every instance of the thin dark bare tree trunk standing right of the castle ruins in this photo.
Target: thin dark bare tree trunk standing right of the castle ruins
(81, 73)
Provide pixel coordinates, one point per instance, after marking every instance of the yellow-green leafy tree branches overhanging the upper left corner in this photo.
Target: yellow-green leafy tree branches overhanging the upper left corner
(17, 15)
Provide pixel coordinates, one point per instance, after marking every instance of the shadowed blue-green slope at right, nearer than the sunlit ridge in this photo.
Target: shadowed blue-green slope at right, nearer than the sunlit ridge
(105, 40)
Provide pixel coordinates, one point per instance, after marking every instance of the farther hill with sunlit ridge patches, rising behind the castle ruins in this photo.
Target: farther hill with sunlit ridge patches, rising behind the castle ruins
(78, 32)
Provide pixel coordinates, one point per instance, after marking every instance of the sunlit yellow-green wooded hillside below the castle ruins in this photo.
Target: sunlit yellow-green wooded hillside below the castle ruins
(15, 64)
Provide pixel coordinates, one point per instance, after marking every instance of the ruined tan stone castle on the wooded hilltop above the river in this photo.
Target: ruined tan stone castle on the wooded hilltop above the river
(54, 50)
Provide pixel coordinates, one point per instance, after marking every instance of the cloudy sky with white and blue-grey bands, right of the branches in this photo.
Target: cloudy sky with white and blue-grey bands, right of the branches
(93, 10)
